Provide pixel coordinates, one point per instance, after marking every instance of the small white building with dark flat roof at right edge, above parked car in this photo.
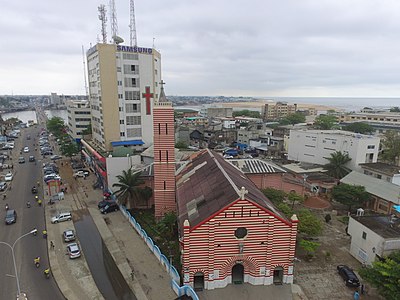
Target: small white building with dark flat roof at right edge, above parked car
(373, 237)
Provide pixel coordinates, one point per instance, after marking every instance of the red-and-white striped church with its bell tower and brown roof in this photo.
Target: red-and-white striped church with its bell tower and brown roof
(230, 232)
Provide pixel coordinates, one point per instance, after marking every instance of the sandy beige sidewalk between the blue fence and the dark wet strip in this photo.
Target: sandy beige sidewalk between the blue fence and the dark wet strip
(130, 253)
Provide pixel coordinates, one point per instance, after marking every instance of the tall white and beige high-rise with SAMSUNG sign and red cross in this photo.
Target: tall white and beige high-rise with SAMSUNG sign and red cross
(123, 83)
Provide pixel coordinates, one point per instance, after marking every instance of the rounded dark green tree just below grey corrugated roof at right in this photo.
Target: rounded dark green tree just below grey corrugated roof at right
(350, 195)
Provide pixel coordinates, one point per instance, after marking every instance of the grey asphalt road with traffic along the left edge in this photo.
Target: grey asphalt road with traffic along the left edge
(32, 280)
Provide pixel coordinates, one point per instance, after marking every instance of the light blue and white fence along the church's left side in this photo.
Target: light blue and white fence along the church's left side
(171, 270)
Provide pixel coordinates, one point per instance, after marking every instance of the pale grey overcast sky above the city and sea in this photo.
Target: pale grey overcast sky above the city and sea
(320, 48)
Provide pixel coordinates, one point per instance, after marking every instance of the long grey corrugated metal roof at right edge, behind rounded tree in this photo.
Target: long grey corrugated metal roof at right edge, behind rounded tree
(383, 189)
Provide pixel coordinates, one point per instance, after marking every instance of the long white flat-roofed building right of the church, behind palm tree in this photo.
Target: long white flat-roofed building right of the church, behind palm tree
(315, 146)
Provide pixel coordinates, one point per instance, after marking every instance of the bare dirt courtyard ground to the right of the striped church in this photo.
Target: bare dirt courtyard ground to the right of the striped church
(318, 278)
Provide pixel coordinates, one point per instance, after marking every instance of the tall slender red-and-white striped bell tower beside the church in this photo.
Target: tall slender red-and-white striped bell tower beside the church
(164, 157)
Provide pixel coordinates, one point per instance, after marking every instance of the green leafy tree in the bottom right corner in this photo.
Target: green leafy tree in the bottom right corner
(384, 275)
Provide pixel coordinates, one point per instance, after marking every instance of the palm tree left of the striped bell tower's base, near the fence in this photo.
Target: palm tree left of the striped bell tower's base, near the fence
(128, 191)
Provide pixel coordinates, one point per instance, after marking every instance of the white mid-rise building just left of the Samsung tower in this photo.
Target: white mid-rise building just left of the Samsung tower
(78, 117)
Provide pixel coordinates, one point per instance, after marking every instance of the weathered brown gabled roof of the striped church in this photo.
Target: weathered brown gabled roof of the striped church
(208, 183)
